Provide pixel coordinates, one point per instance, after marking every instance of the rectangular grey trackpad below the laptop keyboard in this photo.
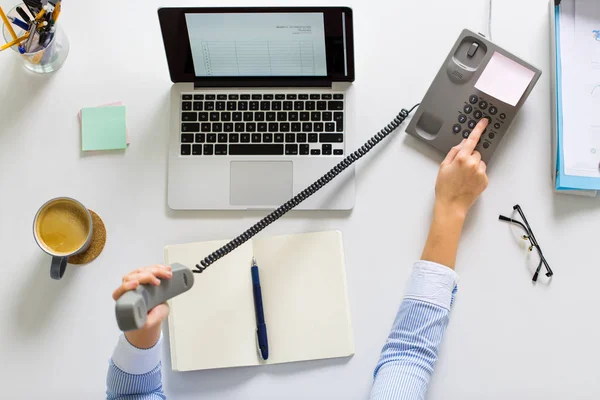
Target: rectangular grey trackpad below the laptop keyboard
(261, 183)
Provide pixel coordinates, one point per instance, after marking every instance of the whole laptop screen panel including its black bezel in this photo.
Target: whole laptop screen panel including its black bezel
(258, 45)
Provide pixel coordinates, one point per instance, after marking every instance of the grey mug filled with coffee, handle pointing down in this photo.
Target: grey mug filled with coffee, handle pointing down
(62, 228)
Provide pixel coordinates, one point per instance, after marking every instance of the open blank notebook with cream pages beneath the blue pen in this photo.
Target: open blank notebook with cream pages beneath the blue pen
(305, 299)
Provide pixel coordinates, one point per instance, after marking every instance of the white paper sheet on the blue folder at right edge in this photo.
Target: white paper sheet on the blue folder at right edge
(580, 59)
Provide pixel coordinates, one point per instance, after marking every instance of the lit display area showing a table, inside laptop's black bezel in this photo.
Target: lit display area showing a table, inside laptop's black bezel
(258, 44)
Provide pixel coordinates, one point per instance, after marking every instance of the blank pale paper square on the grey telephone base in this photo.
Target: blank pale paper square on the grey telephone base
(505, 79)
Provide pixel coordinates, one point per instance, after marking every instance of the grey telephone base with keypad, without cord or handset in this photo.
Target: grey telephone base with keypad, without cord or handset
(477, 80)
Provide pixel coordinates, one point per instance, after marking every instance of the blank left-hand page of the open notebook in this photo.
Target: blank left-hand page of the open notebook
(213, 324)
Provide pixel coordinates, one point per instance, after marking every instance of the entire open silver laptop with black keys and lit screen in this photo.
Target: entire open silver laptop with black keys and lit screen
(258, 106)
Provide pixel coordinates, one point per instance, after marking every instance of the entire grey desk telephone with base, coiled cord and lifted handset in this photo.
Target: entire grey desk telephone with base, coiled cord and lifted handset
(477, 80)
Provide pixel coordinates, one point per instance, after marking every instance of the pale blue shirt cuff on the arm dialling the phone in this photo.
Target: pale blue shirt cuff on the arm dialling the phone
(433, 283)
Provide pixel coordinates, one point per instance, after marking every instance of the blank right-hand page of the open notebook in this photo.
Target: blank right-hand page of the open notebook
(303, 282)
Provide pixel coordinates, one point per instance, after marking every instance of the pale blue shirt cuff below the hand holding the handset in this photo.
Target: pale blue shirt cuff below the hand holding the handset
(135, 361)
